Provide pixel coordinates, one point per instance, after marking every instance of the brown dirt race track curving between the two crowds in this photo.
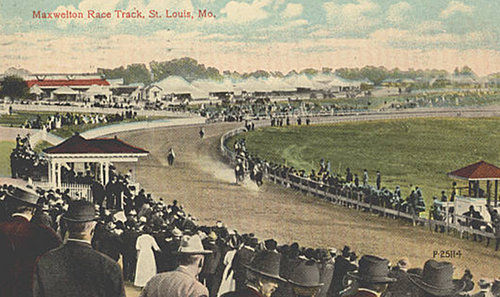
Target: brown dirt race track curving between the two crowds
(205, 186)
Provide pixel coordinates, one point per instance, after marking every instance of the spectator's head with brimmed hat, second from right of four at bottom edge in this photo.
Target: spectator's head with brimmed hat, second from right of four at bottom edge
(372, 276)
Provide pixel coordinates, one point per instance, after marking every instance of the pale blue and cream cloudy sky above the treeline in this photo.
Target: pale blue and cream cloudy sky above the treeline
(247, 35)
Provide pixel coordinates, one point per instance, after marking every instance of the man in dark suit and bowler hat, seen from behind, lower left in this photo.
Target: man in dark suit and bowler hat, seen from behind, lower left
(75, 269)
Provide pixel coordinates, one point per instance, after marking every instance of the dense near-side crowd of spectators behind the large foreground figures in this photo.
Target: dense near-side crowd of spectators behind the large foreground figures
(145, 234)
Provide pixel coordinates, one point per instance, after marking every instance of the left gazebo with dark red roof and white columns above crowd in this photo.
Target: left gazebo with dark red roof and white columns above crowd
(101, 151)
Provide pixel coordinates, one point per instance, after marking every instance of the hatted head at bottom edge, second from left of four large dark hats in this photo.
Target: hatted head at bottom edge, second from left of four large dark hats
(304, 279)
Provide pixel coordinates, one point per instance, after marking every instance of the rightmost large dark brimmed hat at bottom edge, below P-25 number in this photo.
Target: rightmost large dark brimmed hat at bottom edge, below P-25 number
(437, 279)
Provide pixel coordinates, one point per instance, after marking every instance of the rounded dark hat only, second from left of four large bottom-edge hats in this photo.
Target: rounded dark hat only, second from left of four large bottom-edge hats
(305, 274)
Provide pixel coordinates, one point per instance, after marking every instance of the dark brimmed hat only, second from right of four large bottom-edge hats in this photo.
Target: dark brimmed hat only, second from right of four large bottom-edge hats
(372, 269)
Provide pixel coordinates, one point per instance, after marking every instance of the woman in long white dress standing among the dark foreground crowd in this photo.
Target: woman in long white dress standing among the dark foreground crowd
(146, 264)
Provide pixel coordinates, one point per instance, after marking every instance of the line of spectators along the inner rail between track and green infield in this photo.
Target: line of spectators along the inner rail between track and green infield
(358, 189)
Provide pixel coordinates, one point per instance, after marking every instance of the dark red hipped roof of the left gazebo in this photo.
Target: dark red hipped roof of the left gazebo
(76, 144)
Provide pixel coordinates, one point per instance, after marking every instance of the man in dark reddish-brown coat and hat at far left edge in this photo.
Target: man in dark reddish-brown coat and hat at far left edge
(21, 242)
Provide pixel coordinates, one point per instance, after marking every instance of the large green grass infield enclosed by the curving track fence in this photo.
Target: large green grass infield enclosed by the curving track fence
(413, 151)
